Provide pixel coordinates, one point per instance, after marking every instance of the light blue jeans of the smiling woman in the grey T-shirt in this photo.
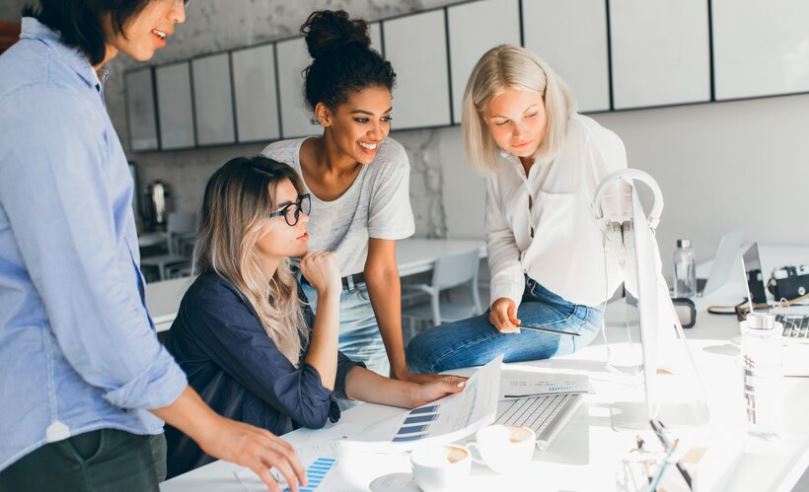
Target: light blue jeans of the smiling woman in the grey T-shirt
(360, 339)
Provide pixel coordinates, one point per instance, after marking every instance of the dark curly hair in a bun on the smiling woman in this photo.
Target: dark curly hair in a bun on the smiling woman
(343, 61)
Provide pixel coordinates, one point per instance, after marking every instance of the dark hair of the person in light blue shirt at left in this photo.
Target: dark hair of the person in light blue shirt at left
(79, 22)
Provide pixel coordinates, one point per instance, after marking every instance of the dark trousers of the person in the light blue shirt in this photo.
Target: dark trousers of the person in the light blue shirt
(103, 460)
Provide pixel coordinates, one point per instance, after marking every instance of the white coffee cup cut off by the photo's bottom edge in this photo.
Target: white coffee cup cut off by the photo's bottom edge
(440, 467)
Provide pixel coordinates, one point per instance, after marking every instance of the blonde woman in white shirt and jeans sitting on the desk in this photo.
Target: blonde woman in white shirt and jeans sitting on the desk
(543, 162)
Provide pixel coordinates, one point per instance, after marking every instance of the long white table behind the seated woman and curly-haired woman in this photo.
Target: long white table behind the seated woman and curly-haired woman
(412, 256)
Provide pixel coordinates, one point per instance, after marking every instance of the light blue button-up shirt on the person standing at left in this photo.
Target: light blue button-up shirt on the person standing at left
(77, 349)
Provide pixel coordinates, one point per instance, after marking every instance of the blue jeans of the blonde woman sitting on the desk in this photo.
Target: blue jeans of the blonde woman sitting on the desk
(474, 341)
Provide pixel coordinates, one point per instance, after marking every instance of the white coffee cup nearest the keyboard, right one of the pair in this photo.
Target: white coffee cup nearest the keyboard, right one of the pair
(503, 448)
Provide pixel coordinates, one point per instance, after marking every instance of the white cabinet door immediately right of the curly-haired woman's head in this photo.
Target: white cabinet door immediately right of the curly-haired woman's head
(416, 45)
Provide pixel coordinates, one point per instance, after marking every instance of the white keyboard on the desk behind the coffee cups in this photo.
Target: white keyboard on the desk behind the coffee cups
(546, 414)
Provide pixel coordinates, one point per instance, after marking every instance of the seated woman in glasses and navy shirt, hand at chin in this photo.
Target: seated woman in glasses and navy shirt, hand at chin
(244, 333)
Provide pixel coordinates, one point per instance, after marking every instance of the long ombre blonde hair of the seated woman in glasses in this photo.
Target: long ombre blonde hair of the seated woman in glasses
(237, 199)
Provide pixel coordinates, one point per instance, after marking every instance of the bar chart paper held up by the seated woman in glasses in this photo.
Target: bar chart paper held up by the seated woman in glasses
(446, 420)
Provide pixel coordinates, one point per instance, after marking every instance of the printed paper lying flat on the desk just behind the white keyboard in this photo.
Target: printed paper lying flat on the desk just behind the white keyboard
(518, 384)
